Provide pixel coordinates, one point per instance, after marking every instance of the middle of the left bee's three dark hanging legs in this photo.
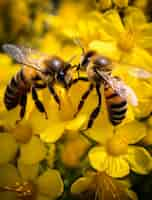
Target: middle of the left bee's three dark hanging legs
(38, 103)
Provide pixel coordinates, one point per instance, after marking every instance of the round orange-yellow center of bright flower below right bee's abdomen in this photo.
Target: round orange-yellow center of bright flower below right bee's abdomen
(116, 146)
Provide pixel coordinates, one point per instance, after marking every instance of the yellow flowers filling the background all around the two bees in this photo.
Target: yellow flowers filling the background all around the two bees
(55, 159)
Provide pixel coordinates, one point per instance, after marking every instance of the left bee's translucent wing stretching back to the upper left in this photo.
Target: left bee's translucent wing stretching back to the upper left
(23, 55)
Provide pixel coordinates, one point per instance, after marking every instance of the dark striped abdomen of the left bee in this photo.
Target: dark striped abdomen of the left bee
(14, 90)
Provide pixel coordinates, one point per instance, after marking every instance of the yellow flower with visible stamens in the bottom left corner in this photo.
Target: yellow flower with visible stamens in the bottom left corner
(29, 184)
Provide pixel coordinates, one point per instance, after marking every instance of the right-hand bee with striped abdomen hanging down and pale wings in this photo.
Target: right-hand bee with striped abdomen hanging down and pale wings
(117, 94)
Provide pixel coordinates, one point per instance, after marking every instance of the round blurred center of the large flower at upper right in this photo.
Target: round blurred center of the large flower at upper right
(126, 41)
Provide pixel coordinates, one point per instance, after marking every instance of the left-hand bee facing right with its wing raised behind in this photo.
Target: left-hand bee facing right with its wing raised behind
(39, 71)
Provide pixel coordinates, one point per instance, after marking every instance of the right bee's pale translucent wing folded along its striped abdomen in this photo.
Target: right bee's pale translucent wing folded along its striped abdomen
(120, 87)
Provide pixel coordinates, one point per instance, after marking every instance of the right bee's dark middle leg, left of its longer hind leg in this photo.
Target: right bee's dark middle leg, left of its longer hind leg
(83, 98)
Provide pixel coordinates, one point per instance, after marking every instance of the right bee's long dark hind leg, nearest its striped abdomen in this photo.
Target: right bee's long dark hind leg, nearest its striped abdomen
(96, 111)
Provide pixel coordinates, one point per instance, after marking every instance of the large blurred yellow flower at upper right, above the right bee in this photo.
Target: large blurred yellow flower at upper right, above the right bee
(128, 42)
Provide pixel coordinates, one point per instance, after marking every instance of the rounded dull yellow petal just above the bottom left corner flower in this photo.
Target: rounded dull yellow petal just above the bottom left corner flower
(32, 152)
